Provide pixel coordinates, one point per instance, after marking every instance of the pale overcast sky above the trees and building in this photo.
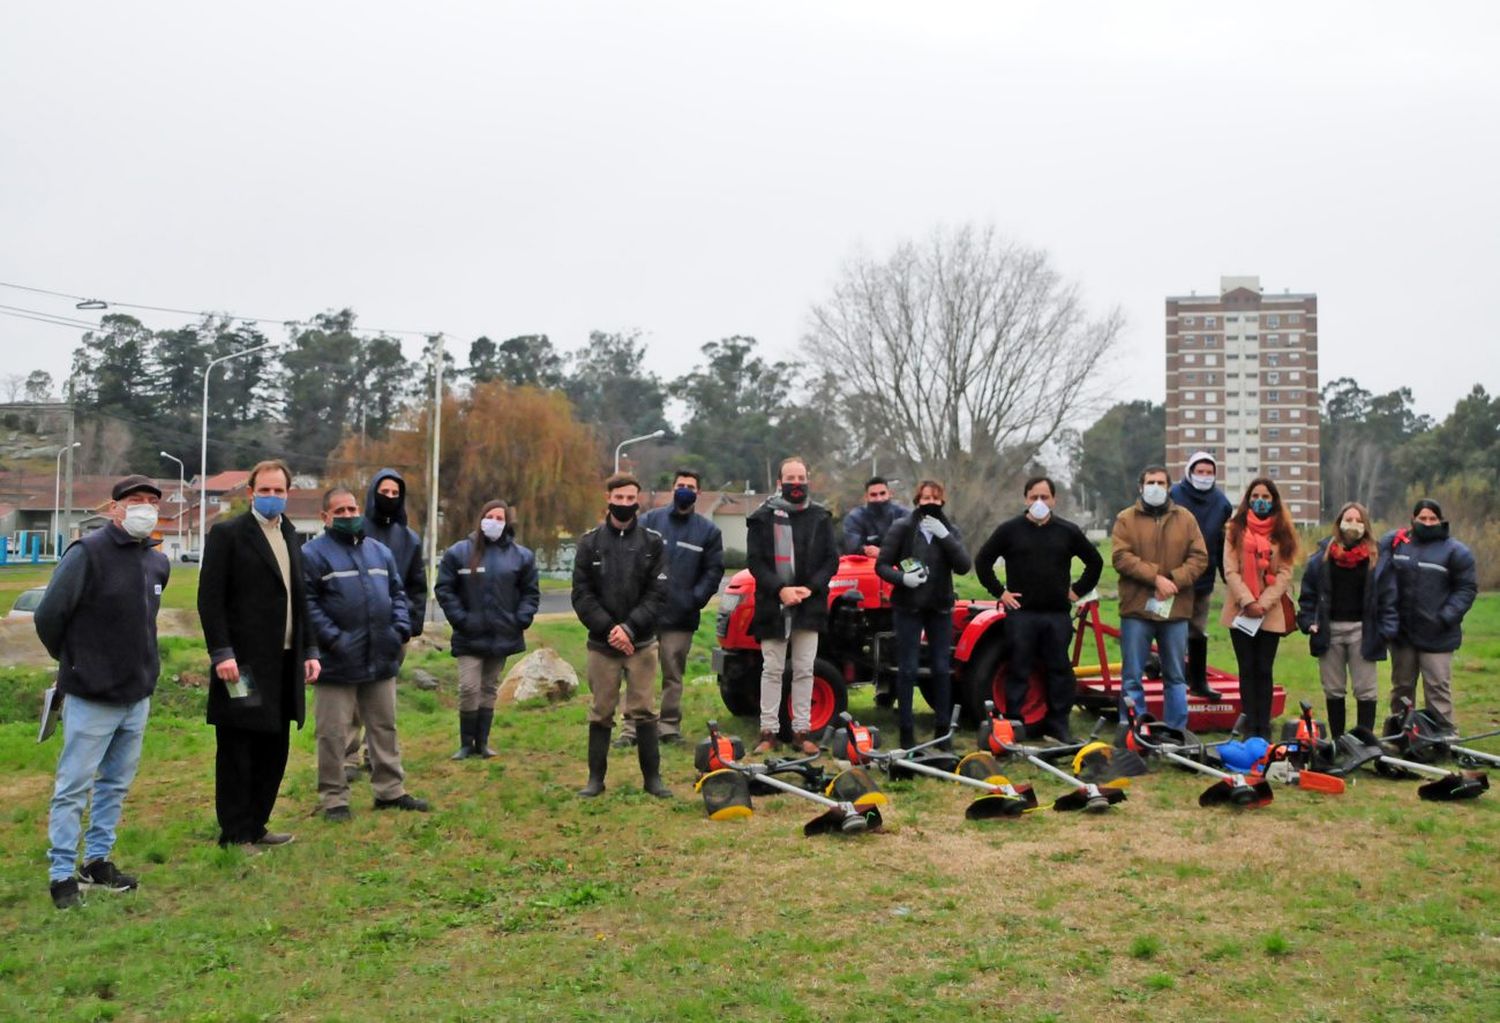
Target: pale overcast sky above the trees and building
(698, 170)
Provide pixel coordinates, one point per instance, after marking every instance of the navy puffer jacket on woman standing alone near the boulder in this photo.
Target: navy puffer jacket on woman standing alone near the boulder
(491, 605)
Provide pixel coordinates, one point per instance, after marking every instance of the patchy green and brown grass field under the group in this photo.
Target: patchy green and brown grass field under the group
(514, 901)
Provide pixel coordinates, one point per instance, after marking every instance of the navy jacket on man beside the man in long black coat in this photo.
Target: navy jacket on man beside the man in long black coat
(356, 607)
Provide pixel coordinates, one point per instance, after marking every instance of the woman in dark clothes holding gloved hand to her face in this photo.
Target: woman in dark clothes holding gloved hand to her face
(922, 602)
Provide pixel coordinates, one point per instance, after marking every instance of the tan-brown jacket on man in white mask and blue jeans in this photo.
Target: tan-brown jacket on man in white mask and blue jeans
(1145, 547)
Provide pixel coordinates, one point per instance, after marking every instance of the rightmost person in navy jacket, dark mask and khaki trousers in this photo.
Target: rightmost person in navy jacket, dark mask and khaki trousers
(1436, 587)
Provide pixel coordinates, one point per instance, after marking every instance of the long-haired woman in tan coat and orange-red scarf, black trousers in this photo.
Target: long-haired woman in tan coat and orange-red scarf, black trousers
(1261, 545)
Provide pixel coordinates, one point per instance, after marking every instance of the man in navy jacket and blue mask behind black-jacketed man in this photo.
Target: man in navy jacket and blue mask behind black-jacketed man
(697, 554)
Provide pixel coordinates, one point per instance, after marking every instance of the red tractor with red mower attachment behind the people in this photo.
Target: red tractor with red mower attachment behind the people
(859, 649)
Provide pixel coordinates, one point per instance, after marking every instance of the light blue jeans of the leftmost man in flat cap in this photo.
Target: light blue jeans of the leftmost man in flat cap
(100, 740)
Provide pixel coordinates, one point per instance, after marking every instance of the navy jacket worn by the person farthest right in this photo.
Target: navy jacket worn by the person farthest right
(1436, 587)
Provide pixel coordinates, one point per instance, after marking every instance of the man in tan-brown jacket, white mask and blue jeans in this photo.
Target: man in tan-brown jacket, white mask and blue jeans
(1159, 551)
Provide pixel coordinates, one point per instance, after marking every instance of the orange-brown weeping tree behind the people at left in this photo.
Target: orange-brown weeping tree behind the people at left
(520, 445)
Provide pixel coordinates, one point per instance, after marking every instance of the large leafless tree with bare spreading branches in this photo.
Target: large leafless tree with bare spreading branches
(962, 355)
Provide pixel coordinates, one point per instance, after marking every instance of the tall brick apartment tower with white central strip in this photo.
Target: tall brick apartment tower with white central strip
(1243, 383)
